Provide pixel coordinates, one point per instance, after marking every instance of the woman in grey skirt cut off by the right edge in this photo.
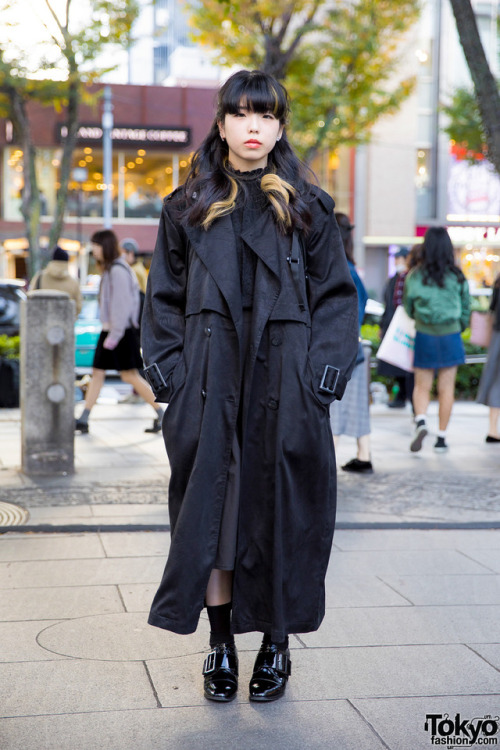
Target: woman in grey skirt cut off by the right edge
(489, 386)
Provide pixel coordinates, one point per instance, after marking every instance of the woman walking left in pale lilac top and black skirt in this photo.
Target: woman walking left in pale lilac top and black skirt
(118, 345)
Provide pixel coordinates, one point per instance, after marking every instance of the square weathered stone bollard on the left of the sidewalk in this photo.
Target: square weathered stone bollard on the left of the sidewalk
(47, 383)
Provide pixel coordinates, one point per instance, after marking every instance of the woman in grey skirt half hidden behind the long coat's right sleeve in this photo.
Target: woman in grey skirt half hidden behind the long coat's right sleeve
(352, 415)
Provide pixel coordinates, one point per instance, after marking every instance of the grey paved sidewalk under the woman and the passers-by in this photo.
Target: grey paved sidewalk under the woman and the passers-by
(411, 629)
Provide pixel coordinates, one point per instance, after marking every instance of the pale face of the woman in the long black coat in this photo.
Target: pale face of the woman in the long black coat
(250, 137)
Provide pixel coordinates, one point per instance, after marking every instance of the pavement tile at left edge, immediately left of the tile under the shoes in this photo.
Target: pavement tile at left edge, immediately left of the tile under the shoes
(72, 686)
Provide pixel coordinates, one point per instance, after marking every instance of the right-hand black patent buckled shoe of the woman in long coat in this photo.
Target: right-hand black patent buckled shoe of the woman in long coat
(271, 671)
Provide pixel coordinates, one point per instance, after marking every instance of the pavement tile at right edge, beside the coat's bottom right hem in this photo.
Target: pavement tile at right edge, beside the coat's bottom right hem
(381, 626)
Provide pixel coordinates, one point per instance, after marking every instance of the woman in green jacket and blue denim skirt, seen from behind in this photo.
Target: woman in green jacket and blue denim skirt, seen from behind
(436, 295)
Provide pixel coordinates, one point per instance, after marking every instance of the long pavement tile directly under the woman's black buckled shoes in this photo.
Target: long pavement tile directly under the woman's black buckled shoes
(329, 674)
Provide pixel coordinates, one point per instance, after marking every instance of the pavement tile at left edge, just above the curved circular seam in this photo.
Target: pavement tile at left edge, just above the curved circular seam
(58, 603)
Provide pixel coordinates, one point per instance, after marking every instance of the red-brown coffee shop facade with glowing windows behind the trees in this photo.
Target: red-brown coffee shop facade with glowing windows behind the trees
(155, 131)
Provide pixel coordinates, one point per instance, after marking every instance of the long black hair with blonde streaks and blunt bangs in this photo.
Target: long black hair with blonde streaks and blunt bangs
(211, 188)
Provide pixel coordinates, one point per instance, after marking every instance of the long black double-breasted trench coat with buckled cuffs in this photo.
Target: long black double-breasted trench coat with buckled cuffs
(192, 343)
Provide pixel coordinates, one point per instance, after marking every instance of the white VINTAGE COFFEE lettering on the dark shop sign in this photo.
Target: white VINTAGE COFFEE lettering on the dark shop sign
(130, 135)
